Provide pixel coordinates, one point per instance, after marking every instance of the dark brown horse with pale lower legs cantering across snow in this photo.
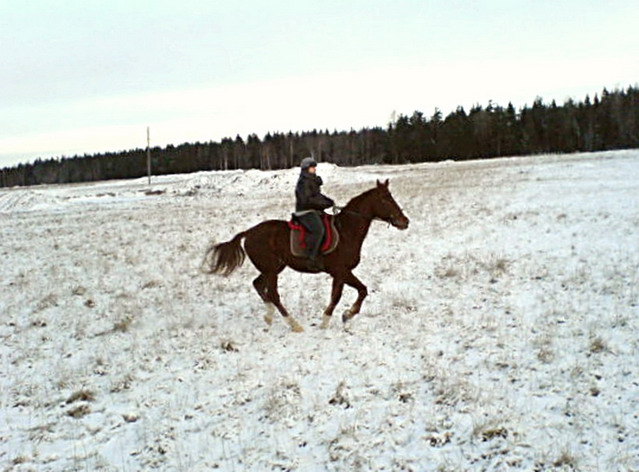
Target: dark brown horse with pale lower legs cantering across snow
(267, 246)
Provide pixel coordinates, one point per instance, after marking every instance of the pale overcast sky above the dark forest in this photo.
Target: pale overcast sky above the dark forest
(87, 76)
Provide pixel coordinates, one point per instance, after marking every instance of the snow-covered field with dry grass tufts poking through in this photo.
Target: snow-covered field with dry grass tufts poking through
(501, 331)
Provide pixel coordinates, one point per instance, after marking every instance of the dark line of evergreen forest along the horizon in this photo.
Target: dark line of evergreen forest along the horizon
(608, 121)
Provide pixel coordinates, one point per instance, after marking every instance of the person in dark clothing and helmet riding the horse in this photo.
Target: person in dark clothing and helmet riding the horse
(309, 204)
